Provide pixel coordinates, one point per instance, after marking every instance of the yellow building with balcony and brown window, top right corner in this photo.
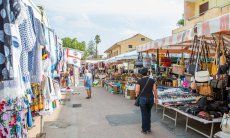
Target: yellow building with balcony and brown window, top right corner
(196, 11)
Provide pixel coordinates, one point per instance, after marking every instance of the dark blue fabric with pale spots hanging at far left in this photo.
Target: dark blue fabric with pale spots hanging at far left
(10, 10)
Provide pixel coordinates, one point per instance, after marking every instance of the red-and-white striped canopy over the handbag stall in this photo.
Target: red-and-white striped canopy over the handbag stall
(183, 40)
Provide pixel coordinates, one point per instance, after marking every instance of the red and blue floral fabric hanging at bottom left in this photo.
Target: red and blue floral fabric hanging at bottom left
(12, 118)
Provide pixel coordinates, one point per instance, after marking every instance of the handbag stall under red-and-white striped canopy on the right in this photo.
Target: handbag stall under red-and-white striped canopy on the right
(206, 73)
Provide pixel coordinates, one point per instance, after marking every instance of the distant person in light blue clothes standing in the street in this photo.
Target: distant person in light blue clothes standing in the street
(88, 83)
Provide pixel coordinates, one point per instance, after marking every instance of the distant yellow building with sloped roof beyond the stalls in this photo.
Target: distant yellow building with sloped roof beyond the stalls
(127, 45)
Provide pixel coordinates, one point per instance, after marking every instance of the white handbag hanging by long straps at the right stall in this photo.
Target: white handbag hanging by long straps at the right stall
(201, 76)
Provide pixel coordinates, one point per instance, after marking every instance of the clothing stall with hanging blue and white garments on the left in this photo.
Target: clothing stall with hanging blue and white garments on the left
(30, 55)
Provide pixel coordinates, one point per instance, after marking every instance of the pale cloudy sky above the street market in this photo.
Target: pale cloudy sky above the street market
(113, 20)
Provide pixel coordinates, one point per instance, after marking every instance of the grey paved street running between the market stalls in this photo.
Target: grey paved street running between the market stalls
(105, 115)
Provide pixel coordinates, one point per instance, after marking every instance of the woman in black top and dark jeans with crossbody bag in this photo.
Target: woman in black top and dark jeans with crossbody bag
(145, 88)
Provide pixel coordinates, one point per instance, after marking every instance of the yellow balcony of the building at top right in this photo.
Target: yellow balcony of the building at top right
(211, 13)
